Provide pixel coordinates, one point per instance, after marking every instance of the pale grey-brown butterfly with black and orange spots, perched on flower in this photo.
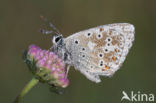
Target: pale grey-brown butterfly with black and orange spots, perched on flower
(95, 52)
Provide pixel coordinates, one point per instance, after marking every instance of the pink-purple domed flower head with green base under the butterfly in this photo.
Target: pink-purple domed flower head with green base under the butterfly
(46, 66)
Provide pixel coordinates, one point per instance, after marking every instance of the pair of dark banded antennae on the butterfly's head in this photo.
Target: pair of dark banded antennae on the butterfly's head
(56, 31)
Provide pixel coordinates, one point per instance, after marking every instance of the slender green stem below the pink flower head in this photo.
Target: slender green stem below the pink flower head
(26, 89)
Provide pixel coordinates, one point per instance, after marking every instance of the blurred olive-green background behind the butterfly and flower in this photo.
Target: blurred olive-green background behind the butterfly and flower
(20, 20)
